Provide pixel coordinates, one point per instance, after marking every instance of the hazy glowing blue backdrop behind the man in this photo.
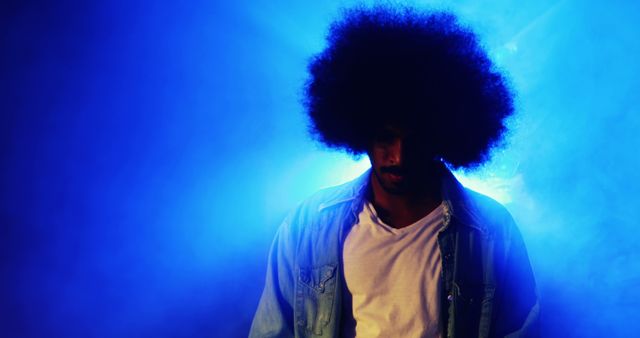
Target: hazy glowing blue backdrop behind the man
(150, 149)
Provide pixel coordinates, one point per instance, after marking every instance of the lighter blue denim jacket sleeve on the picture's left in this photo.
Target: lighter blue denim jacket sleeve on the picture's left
(274, 316)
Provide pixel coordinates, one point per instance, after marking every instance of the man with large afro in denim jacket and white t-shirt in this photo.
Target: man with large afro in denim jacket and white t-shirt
(404, 250)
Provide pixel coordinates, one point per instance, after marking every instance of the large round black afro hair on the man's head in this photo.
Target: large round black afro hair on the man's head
(398, 66)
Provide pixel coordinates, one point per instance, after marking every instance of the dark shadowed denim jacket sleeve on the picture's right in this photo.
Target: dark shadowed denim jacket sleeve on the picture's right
(517, 307)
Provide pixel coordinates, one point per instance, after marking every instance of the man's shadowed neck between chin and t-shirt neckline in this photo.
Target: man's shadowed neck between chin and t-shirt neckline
(401, 210)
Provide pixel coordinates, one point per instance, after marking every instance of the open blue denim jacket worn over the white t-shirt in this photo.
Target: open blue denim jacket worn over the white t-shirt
(488, 284)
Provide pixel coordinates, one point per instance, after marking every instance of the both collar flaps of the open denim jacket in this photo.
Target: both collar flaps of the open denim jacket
(457, 202)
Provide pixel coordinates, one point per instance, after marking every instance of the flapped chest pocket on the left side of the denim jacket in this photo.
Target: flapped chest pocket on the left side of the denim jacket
(315, 293)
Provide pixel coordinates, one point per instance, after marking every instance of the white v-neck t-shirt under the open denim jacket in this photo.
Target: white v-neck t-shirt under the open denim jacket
(394, 276)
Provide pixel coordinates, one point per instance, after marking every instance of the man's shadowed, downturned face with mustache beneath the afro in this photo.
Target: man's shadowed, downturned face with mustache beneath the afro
(401, 161)
